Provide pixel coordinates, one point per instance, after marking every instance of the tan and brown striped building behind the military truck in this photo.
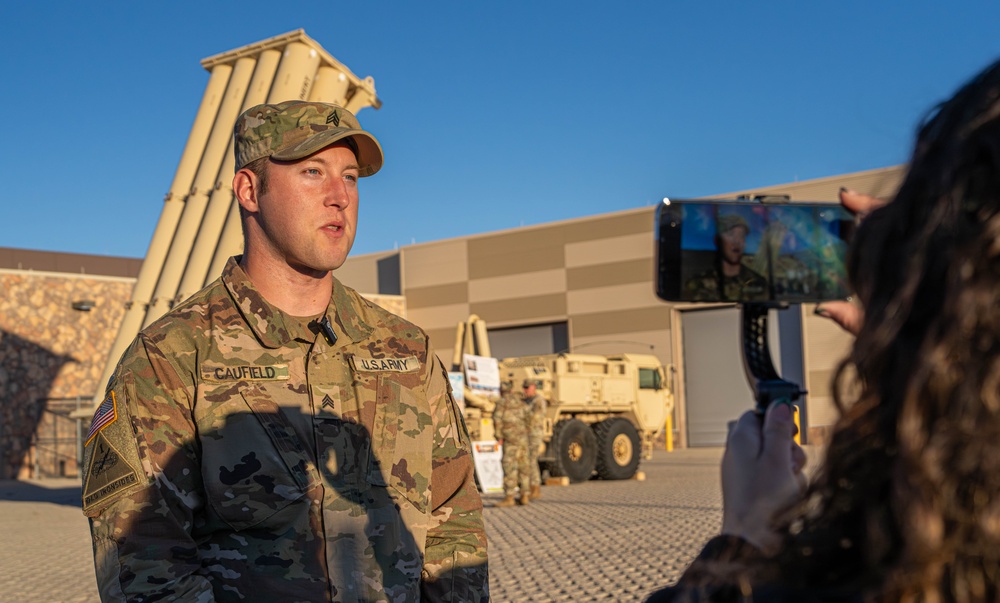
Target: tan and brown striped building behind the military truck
(586, 285)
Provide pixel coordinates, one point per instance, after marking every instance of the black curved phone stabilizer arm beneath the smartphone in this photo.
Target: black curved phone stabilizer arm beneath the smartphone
(764, 380)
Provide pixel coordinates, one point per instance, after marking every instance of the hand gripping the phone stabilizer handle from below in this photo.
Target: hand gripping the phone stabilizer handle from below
(761, 475)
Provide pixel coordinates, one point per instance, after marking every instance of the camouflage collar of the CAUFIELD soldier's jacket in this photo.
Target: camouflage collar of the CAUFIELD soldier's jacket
(275, 328)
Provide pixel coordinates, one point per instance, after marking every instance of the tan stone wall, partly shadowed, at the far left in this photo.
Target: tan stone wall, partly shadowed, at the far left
(50, 355)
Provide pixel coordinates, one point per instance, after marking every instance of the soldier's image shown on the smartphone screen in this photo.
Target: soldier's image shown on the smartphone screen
(728, 279)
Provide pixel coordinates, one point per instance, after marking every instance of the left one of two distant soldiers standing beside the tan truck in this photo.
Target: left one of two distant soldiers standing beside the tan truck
(510, 424)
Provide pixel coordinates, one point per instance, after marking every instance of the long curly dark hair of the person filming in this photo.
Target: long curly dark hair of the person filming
(906, 504)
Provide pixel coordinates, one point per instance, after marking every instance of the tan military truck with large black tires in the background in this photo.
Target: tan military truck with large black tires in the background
(603, 412)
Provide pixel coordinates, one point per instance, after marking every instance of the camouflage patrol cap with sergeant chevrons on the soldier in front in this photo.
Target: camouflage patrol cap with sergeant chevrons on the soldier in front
(292, 130)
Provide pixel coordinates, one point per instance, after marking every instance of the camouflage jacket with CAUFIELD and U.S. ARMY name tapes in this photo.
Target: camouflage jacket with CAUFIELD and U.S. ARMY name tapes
(238, 456)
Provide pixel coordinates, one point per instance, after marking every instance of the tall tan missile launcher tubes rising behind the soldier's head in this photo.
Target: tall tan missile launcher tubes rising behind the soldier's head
(199, 226)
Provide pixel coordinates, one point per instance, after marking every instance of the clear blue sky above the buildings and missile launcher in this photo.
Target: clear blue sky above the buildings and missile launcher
(495, 114)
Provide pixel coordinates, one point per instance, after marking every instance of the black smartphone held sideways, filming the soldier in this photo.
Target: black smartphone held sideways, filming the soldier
(752, 250)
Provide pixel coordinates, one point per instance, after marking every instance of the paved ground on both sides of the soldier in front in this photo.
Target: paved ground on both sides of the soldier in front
(596, 541)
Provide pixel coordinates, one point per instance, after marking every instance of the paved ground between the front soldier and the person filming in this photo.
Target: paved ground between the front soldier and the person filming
(606, 540)
